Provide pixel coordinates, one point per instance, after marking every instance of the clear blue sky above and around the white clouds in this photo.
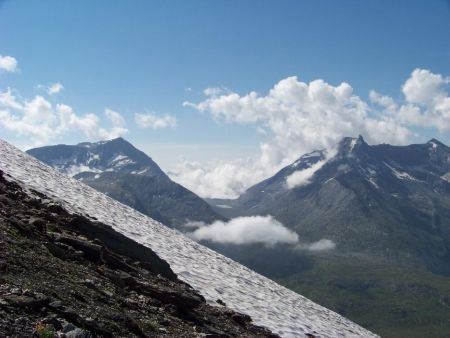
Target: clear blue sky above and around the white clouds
(151, 56)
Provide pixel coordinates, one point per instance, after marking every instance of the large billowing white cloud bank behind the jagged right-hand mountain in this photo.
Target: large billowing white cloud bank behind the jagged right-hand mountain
(296, 117)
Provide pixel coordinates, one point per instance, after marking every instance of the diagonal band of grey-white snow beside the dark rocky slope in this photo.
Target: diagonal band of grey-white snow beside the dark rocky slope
(214, 275)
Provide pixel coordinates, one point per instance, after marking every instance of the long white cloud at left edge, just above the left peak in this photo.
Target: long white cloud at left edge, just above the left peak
(42, 121)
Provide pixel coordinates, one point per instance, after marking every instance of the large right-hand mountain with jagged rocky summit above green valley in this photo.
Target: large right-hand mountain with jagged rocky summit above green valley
(382, 201)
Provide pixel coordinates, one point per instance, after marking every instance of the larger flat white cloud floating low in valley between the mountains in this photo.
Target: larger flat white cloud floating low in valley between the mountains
(246, 230)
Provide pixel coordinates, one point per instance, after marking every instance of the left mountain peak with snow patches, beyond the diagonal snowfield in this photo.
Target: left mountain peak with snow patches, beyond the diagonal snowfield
(128, 175)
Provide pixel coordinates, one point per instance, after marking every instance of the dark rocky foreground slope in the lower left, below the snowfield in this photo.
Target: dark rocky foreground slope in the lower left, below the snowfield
(65, 275)
